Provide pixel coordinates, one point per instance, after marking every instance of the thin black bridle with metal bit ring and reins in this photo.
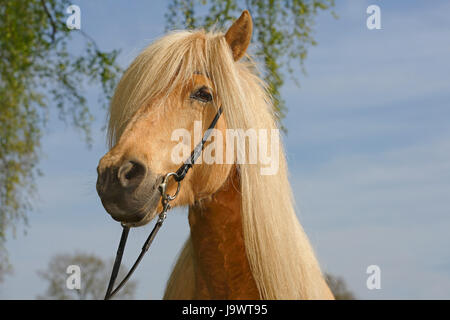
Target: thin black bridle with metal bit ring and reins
(166, 198)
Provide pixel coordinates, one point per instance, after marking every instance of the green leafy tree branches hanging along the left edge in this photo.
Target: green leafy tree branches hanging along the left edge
(40, 75)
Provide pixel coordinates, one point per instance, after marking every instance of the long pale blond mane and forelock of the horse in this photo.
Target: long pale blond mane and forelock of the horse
(280, 256)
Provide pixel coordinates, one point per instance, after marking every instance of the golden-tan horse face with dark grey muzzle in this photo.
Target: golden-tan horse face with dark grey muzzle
(130, 173)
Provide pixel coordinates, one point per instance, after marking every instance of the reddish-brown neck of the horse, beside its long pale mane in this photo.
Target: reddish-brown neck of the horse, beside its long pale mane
(221, 267)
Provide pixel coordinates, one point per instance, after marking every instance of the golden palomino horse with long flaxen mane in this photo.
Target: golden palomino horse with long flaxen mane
(245, 241)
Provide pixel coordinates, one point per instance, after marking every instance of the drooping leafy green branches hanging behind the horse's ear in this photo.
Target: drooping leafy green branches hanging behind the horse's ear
(282, 31)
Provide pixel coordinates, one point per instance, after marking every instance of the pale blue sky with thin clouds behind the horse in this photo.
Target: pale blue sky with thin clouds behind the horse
(368, 148)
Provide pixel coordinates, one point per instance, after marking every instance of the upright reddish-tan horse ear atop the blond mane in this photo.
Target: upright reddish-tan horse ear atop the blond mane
(239, 35)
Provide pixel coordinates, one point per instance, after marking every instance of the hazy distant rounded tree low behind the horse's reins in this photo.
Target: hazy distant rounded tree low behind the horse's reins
(95, 275)
